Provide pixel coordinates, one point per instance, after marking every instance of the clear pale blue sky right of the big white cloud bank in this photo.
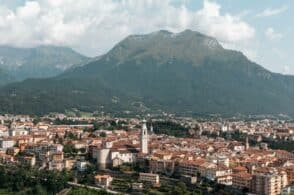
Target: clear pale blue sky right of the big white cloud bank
(273, 53)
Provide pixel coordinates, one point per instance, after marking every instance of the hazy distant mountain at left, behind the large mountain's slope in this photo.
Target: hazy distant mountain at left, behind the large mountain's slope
(39, 62)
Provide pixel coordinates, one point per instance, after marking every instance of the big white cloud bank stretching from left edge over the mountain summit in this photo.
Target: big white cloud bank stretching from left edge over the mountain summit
(94, 26)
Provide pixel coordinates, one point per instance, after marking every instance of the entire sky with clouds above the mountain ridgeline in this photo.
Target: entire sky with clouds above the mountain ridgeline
(263, 30)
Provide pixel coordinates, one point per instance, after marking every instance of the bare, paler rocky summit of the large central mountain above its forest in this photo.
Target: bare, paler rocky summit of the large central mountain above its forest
(164, 45)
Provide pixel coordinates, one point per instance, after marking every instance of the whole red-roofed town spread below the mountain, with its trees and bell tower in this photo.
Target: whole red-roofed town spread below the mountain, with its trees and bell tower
(152, 155)
